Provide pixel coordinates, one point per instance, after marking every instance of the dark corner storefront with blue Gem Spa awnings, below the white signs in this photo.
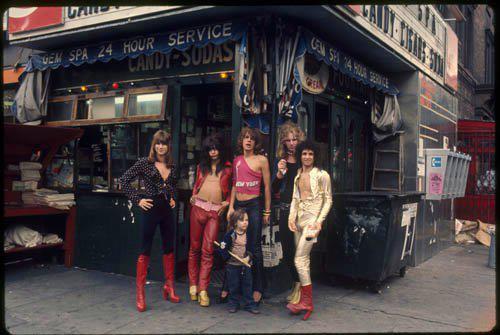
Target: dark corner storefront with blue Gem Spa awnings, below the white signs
(215, 76)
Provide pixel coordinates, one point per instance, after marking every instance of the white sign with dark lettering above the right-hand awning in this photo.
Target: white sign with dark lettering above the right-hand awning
(416, 32)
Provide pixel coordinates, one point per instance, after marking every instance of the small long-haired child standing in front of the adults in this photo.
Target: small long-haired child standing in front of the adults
(239, 276)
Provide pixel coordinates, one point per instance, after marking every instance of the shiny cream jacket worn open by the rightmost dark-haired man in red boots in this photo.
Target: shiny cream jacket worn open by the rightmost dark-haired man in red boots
(321, 200)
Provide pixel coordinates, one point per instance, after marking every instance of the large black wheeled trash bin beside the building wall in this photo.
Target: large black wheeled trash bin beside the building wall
(369, 237)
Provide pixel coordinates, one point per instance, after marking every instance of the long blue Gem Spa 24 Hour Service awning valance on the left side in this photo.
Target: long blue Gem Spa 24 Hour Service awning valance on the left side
(181, 40)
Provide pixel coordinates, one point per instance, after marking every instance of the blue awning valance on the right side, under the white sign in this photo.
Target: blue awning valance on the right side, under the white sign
(342, 62)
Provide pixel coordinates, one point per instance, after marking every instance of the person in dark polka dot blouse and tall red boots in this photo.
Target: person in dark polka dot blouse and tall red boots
(160, 179)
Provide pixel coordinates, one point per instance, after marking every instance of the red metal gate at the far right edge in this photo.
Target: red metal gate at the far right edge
(477, 139)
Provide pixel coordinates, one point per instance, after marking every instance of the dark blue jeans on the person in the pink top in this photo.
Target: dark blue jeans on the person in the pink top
(254, 239)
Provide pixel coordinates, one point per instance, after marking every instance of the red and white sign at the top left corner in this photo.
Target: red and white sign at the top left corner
(31, 18)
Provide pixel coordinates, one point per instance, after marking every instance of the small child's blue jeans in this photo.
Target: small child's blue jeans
(239, 279)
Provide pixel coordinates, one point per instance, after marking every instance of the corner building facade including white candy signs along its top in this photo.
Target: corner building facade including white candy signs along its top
(121, 73)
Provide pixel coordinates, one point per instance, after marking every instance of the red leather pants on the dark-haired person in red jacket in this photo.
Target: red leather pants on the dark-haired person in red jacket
(204, 227)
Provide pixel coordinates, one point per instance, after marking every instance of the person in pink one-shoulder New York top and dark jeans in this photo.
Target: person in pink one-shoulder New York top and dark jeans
(250, 171)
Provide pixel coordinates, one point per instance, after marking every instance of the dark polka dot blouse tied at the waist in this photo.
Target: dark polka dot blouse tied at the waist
(153, 182)
